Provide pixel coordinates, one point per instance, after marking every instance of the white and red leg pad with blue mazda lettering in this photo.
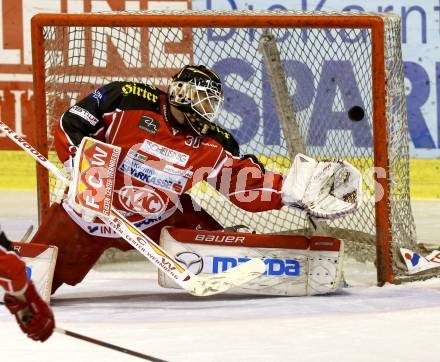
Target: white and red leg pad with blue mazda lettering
(296, 265)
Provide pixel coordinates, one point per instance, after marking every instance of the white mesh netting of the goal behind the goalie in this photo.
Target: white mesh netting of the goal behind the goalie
(329, 76)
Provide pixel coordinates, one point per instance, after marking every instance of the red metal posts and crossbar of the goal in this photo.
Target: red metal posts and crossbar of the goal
(374, 23)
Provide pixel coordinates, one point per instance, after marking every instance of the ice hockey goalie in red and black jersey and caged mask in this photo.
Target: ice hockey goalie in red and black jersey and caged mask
(169, 142)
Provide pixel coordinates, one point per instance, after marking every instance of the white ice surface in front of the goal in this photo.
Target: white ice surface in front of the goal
(127, 308)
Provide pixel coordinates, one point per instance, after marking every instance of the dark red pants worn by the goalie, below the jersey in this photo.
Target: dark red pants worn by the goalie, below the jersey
(78, 251)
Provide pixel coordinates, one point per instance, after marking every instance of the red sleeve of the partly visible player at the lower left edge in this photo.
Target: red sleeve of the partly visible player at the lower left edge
(12, 272)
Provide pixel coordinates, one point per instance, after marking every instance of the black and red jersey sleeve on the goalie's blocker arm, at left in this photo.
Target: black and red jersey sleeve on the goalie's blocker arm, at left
(86, 118)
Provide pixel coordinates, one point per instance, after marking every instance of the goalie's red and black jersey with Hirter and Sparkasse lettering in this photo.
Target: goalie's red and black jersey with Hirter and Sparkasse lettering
(159, 161)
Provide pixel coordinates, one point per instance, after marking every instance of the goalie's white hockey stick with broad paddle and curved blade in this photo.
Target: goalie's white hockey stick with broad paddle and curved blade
(195, 284)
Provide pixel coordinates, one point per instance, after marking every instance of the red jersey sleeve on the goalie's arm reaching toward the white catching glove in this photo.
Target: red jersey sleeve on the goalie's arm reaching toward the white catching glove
(244, 181)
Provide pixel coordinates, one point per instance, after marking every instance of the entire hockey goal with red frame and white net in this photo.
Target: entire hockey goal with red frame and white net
(345, 98)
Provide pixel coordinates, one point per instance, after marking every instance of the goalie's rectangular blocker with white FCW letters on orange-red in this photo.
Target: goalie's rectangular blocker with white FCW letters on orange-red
(94, 175)
